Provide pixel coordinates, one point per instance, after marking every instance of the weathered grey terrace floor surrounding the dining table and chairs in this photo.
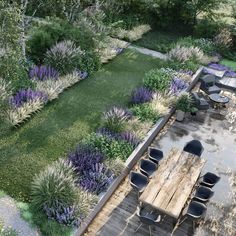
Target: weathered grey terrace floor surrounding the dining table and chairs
(217, 132)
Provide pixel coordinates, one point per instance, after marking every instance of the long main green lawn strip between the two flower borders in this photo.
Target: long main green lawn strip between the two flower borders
(57, 129)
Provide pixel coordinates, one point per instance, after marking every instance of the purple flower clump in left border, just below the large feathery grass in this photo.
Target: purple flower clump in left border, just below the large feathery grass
(43, 73)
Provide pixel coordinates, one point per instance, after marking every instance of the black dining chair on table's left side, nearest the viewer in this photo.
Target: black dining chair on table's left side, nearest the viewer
(138, 181)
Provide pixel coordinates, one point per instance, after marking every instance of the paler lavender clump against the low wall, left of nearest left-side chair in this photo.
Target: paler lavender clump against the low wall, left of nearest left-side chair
(97, 179)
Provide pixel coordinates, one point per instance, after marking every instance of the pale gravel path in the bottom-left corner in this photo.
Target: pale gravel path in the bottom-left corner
(10, 215)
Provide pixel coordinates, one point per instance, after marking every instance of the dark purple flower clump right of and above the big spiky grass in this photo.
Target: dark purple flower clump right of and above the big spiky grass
(84, 157)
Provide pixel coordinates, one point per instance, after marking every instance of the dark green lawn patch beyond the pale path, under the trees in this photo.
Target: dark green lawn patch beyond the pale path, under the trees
(159, 40)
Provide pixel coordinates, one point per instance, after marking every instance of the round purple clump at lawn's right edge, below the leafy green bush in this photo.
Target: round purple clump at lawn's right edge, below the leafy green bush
(141, 95)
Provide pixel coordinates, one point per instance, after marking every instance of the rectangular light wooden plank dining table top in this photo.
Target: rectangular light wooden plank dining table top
(173, 182)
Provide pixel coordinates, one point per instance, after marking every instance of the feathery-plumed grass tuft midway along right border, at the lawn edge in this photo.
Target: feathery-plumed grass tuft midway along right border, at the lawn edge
(115, 118)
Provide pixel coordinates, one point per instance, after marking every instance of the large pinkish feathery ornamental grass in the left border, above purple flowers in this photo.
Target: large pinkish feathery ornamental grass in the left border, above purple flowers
(64, 57)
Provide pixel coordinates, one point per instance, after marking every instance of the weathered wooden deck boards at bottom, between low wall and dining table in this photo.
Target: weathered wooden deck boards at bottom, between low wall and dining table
(118, 217)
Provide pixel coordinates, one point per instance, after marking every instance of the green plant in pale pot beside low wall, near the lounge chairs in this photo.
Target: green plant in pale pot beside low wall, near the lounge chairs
(183, 105)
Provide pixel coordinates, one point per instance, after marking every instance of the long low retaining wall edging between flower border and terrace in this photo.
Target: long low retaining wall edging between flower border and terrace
(132, 160)
